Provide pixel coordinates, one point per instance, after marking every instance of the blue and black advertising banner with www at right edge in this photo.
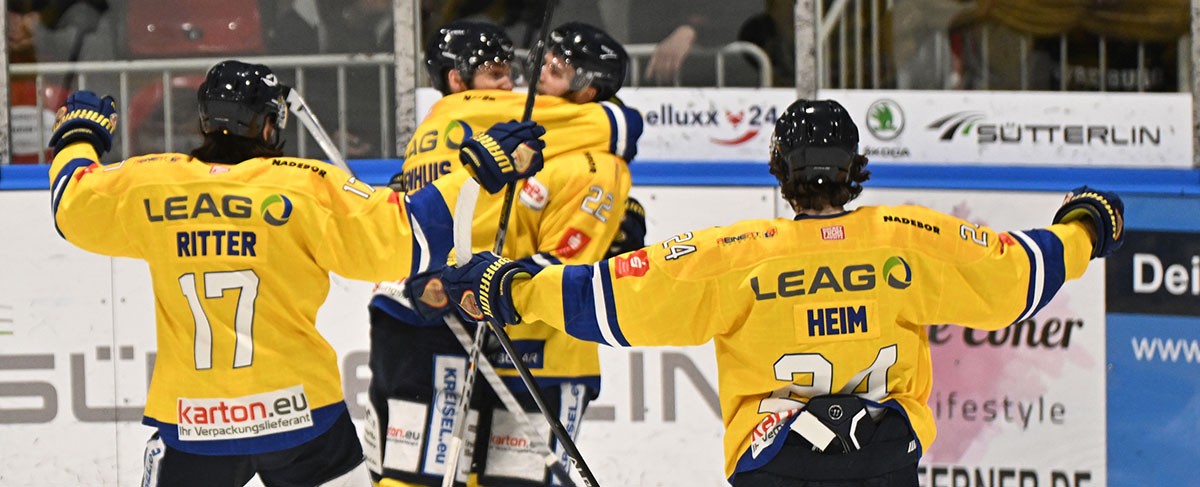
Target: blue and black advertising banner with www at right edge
(1154, 345)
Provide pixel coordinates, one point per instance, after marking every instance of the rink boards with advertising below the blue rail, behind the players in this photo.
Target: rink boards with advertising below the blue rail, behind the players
(1035, 407)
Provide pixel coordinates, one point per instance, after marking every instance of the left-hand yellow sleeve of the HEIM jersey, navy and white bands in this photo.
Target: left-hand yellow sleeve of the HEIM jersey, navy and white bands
(638, 299)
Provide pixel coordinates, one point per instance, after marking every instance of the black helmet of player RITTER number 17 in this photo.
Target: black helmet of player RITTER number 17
(237, 99)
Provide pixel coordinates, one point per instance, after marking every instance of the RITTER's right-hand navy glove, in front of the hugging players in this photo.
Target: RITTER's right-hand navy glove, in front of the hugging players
(507, 153)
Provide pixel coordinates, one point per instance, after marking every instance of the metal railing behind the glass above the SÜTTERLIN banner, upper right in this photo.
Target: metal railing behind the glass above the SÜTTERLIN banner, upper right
(853, 53)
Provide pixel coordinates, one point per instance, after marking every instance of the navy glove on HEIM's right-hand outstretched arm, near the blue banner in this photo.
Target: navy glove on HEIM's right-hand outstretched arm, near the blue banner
(1103, 209)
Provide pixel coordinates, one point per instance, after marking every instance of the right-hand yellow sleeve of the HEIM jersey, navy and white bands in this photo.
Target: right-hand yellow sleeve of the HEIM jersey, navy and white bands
(989, 280)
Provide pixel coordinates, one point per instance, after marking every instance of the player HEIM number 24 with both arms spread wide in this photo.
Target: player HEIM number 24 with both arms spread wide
(819, 322)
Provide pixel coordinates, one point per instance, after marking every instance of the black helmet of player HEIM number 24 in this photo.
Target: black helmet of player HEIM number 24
(815, 141)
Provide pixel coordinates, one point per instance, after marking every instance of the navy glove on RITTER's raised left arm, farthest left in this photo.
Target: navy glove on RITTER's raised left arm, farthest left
(88, 118)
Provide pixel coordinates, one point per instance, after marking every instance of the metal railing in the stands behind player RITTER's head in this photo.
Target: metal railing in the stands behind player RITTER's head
(298, 68)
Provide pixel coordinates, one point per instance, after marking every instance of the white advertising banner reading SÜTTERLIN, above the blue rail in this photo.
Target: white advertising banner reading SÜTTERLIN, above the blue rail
(953, 128)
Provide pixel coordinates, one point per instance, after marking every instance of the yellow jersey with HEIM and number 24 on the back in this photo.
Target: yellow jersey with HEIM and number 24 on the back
(811, 308)
